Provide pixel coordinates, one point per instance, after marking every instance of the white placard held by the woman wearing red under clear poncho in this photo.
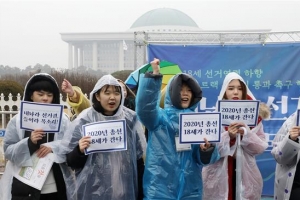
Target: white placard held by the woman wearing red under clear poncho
(245, 111)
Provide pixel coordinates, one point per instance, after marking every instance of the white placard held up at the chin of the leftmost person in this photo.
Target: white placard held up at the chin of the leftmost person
(41, 116)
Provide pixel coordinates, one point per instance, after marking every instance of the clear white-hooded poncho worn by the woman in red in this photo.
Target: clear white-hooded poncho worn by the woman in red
(215, 176)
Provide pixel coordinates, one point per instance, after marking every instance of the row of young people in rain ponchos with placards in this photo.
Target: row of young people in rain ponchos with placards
(156, 169)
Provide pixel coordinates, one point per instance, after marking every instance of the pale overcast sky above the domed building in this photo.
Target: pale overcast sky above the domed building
(30, 30)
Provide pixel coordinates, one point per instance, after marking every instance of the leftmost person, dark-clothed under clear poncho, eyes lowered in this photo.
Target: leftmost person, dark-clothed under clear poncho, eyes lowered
(22, 147)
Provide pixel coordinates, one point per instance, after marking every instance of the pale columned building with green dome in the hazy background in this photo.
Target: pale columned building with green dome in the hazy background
(116, 51)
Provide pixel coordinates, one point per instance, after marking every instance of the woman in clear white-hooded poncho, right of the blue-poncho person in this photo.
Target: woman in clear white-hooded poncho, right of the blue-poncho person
(220, 178)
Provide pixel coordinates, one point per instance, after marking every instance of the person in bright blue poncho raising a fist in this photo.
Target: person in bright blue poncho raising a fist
(172, 170)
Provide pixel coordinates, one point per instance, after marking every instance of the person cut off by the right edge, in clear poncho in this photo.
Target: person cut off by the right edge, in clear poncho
(286, 151)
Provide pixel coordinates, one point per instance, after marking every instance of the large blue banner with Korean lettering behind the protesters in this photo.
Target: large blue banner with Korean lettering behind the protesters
(270, 72)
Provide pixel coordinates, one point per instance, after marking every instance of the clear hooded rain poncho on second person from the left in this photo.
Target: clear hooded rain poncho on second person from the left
(107, 175)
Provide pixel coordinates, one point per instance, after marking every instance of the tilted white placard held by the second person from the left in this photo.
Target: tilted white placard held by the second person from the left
(106, 136)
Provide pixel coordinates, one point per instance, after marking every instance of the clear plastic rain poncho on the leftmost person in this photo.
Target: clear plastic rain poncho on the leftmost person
(16, 146)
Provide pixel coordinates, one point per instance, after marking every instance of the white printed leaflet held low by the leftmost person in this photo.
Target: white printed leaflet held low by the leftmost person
(36, 175)
